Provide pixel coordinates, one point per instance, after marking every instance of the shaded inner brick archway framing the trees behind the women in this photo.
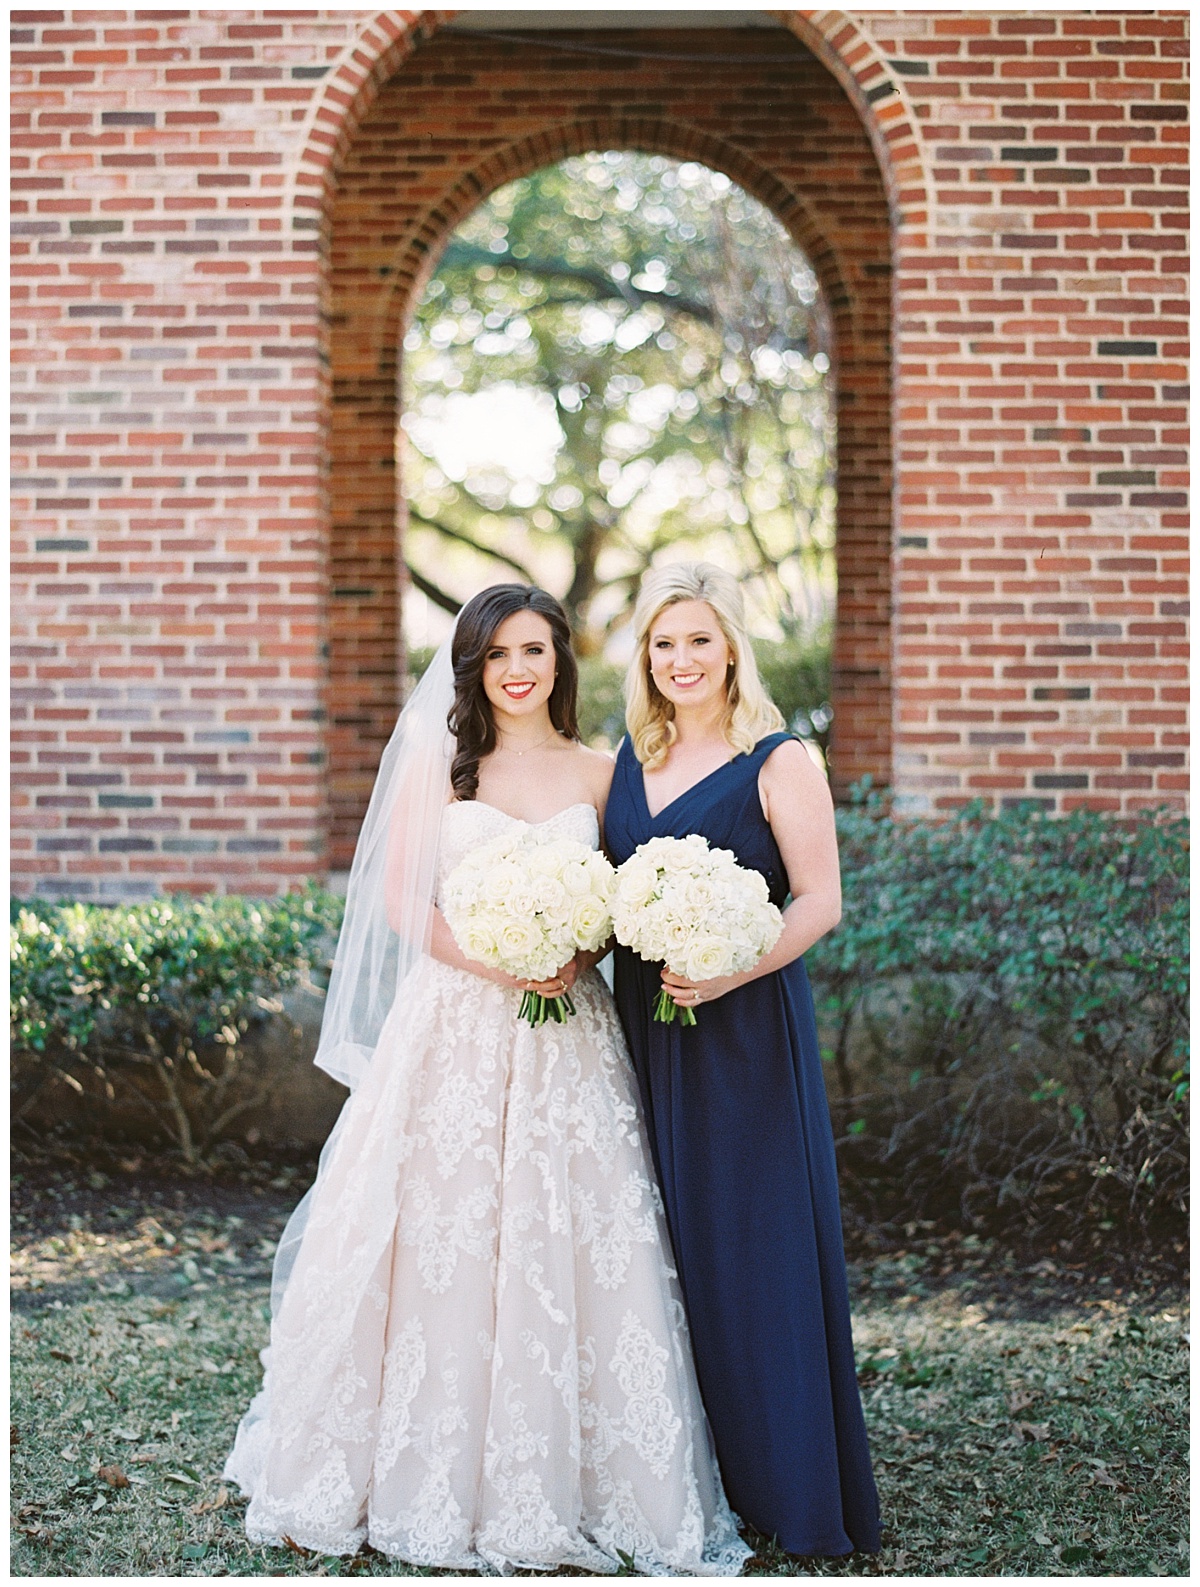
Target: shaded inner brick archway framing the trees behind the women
(460, 117)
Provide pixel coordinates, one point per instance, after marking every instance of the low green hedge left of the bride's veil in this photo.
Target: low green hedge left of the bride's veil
(155, 999)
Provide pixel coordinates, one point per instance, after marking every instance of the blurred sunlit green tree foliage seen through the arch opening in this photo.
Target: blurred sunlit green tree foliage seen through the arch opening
(663, 332)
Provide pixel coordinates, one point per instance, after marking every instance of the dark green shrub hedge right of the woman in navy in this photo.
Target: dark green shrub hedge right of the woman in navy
(1006, 1004)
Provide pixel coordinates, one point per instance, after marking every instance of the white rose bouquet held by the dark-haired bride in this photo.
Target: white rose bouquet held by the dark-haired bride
(528, 907)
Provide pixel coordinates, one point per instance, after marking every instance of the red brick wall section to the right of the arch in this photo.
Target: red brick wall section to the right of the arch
(1042, 486)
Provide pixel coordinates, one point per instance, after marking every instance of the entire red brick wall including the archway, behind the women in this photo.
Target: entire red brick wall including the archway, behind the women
(187, 190)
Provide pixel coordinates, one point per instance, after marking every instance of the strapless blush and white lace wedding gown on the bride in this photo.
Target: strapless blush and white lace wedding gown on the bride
(480, 1359)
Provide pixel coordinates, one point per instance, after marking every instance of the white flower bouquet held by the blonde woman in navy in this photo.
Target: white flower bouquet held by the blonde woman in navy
(696, 910)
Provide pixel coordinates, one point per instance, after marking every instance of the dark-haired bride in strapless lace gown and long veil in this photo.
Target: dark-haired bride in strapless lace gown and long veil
(479, 1355)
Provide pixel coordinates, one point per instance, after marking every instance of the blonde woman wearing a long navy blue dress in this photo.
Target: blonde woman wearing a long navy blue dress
(736, 1107)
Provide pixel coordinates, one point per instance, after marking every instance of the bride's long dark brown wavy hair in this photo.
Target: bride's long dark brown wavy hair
(471, 718)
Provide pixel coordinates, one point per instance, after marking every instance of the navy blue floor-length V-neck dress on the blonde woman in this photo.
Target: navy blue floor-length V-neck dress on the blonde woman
(742, 1140)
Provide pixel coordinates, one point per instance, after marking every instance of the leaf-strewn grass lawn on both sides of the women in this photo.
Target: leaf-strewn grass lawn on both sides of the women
(1028, 1418)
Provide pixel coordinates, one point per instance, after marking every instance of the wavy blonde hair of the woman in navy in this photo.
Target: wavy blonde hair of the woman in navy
(750, 710)
